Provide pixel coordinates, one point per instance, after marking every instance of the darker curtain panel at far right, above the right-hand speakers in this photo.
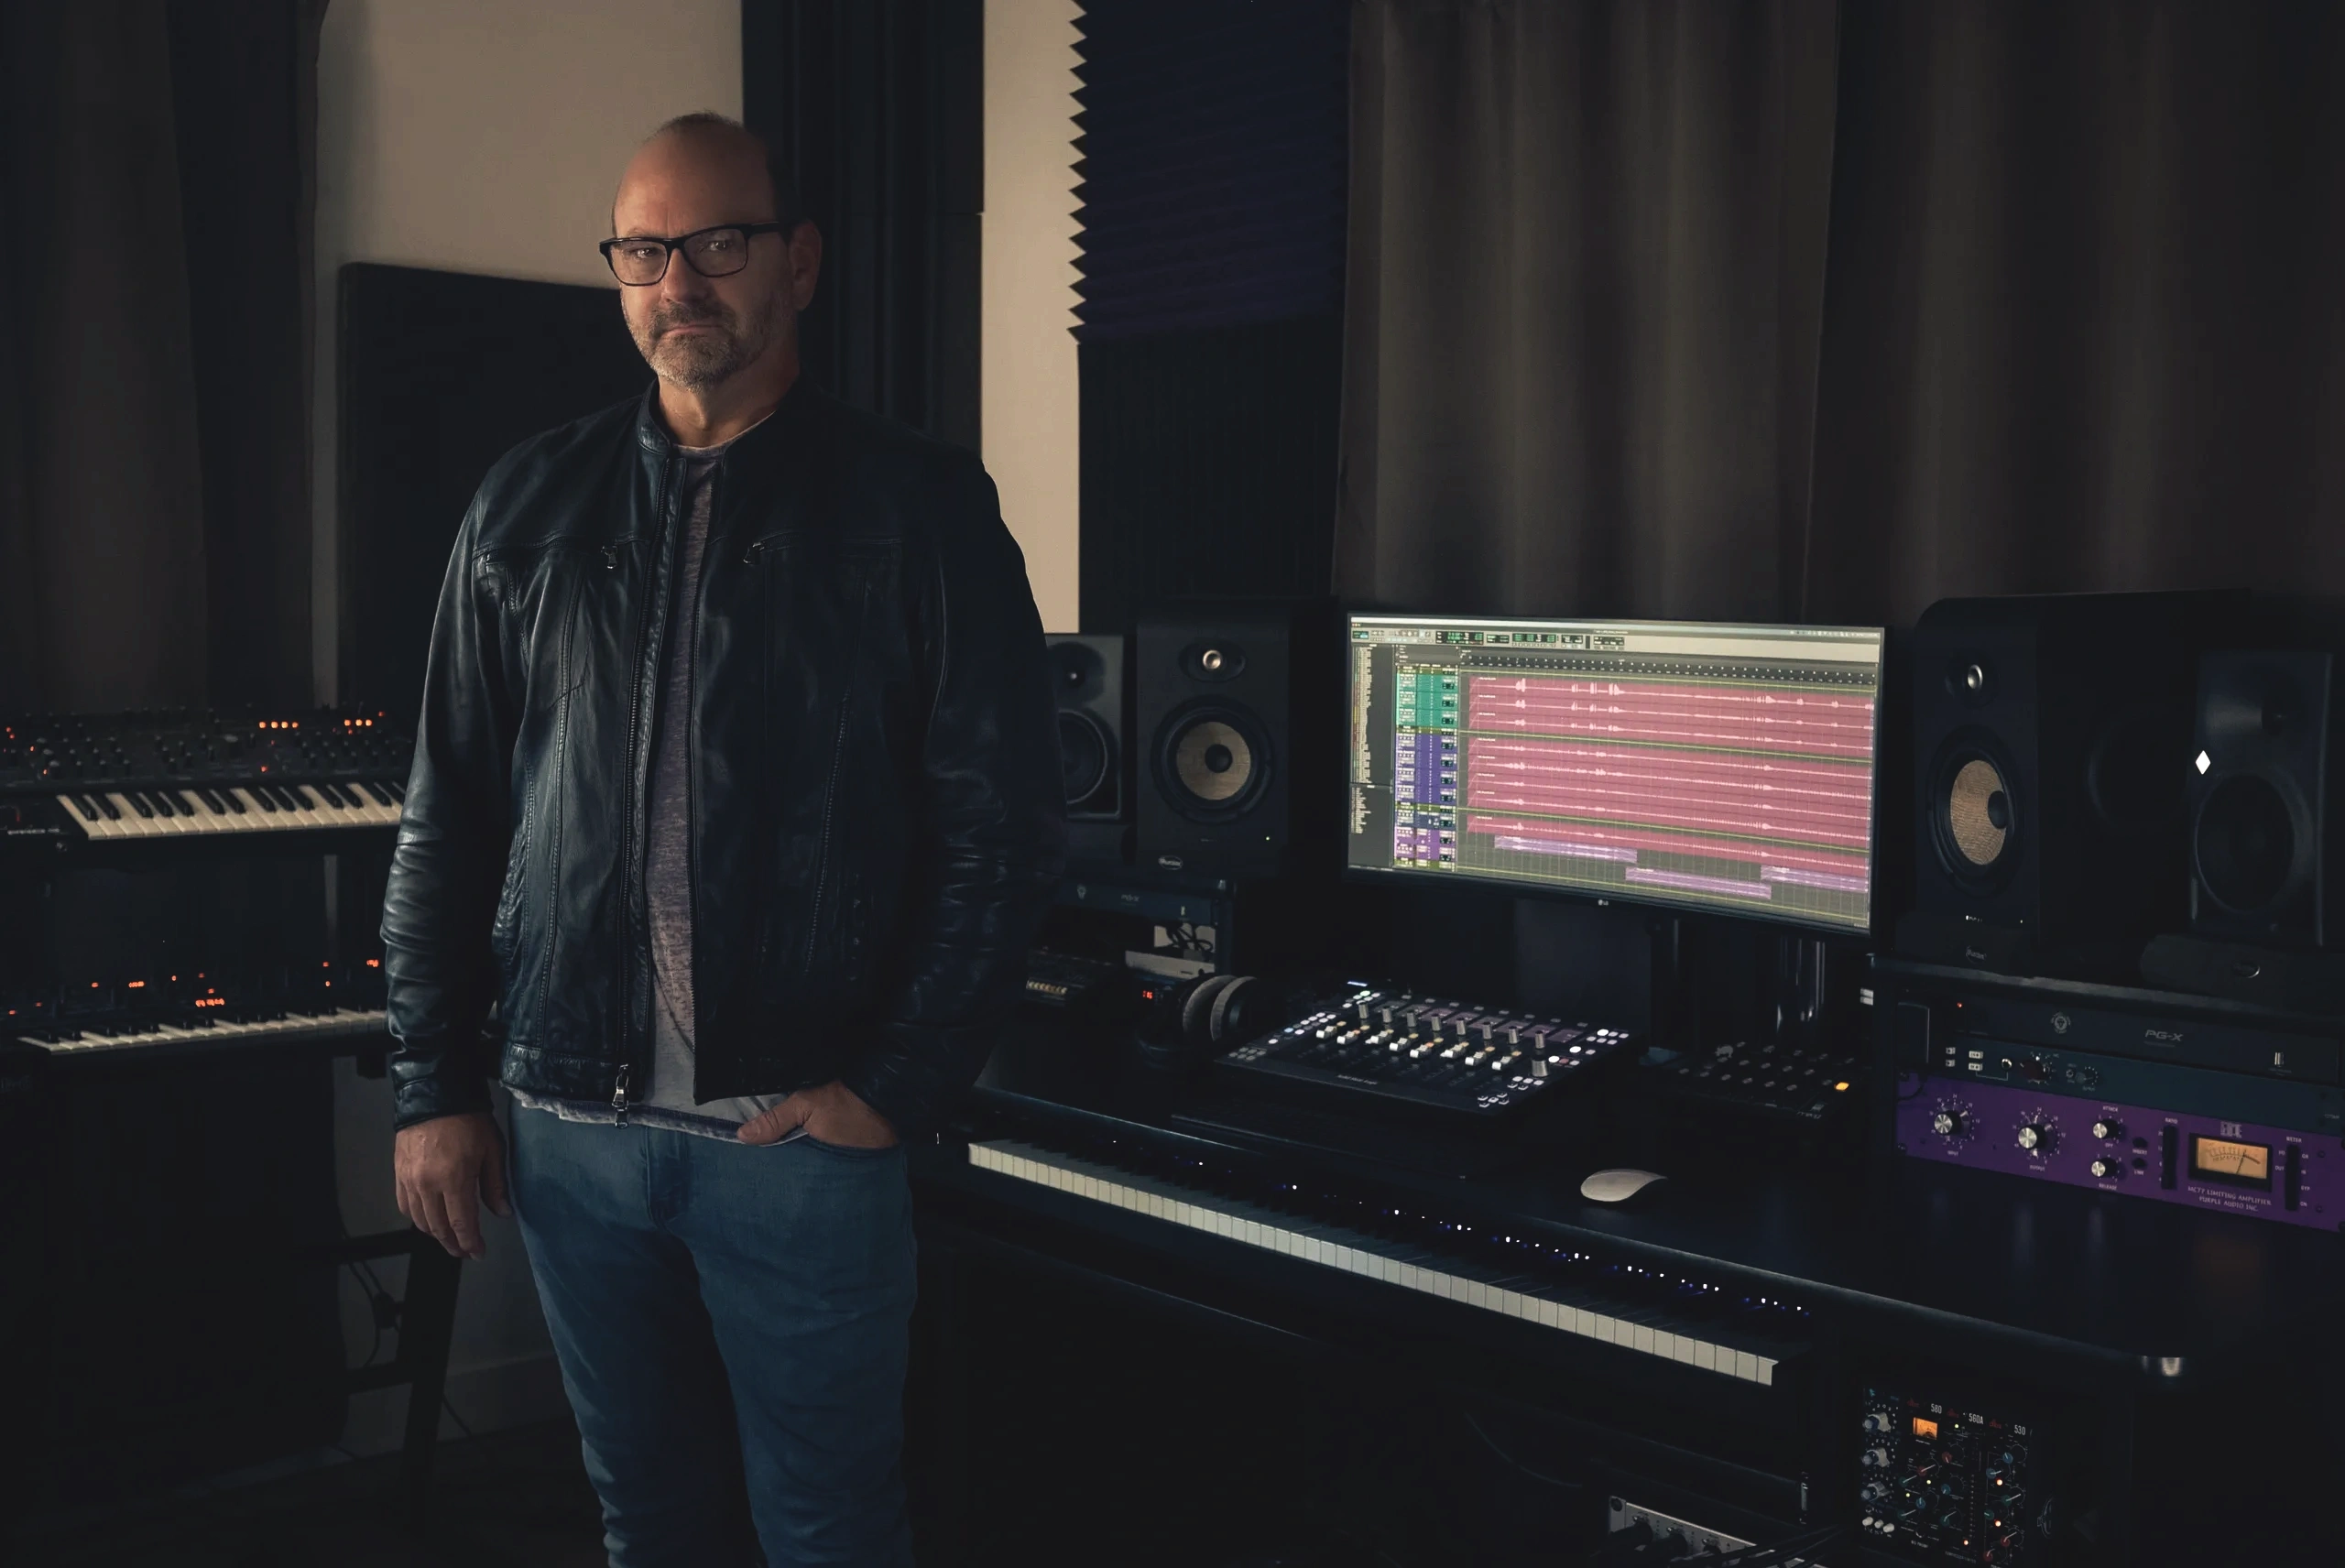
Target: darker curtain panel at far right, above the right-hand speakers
(2084, 320)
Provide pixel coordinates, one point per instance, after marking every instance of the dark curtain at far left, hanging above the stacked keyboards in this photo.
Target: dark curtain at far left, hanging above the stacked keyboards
(154, 402)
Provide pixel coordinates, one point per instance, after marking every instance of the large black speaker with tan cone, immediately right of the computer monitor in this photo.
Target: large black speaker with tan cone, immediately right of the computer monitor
(2051, 775)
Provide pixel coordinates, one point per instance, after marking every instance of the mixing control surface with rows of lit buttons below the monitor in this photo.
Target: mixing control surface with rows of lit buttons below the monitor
(1427, 1051)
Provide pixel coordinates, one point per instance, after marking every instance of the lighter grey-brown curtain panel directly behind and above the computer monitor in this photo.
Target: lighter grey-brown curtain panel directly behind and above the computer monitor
(1582, 313)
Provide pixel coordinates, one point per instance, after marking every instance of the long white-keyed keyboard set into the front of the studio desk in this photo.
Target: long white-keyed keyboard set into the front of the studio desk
(1647, 1311)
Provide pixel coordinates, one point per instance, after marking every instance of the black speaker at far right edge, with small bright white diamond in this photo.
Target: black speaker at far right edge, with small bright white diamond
(2264, 836)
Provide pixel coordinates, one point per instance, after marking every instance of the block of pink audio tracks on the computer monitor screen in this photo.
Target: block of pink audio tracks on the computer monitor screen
(1812, 810)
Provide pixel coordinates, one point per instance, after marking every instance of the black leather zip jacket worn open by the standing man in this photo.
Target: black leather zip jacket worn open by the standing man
(876, 800)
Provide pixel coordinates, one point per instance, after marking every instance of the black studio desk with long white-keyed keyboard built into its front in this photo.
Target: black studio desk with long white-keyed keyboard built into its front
(1732, 1349)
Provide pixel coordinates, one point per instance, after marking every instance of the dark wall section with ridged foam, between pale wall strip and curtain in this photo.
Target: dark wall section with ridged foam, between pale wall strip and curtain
(1214, 158)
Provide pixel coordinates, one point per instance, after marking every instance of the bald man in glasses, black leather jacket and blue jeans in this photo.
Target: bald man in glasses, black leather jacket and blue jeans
(738, 796)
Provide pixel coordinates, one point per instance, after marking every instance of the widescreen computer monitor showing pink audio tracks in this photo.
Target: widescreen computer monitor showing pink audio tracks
(1694, 765)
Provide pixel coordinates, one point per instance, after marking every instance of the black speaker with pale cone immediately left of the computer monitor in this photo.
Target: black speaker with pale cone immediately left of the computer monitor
(1237, 718)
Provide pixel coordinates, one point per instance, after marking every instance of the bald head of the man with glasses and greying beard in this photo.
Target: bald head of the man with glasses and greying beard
(700, 332)
